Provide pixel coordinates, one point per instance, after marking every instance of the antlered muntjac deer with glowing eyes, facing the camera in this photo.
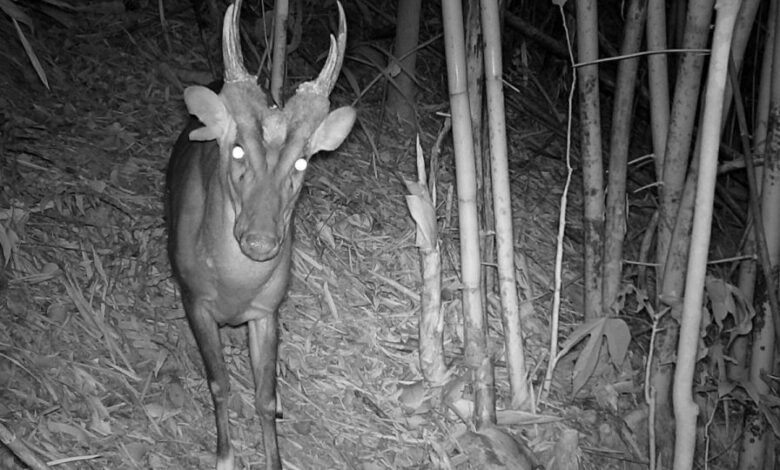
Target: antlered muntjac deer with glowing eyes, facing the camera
(233, 180)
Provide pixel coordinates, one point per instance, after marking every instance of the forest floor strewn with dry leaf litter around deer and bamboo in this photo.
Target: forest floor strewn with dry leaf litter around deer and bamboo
(98, 368)
